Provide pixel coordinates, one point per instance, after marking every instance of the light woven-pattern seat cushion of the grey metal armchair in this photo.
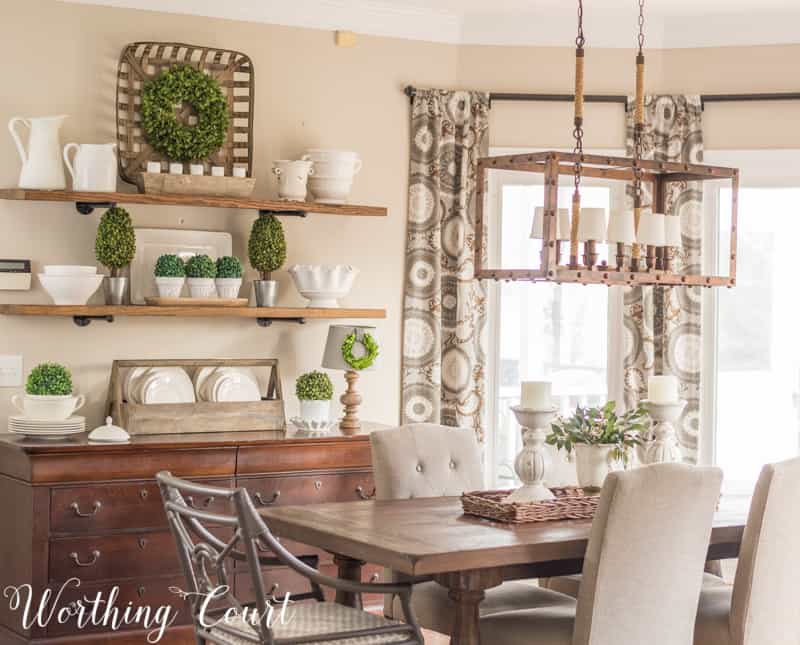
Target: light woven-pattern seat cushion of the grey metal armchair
(317, 618)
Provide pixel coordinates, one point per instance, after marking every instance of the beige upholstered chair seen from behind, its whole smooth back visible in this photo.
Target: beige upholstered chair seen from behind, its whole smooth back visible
(642, 570)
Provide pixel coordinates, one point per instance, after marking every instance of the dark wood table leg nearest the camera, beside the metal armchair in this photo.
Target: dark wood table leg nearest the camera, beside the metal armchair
(467, 591)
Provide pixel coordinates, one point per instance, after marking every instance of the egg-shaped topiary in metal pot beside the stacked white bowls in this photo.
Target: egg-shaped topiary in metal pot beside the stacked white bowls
(115, 246)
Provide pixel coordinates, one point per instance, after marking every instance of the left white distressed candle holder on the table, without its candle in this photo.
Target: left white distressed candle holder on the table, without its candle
(531, 462)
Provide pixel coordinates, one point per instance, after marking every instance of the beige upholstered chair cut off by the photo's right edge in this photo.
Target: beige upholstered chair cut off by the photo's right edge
(761, 608)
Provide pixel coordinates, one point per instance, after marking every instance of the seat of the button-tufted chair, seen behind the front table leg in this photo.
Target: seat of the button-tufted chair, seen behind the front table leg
(434, 608)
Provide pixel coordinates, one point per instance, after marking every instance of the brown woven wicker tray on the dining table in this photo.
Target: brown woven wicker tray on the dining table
(571, 503)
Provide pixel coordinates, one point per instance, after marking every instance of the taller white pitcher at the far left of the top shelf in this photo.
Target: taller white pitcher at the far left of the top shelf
(42, 167)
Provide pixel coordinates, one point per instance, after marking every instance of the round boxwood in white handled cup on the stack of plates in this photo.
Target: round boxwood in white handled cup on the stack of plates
(48, 394)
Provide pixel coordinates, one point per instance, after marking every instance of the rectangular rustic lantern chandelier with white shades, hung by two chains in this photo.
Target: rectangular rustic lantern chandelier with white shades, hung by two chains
(647, 240)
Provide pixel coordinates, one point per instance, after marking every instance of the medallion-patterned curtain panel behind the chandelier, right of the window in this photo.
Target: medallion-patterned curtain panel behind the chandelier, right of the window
(663, 334)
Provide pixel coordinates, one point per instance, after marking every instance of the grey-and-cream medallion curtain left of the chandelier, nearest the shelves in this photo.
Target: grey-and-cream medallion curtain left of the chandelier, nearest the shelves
(444, 310)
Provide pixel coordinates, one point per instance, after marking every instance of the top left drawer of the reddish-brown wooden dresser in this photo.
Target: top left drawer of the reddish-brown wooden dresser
(89, 509)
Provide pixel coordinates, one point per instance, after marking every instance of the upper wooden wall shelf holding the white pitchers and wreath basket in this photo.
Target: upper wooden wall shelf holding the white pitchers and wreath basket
(87, 200)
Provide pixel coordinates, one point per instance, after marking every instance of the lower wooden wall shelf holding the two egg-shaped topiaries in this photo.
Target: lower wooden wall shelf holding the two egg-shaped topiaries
(83, 315)
